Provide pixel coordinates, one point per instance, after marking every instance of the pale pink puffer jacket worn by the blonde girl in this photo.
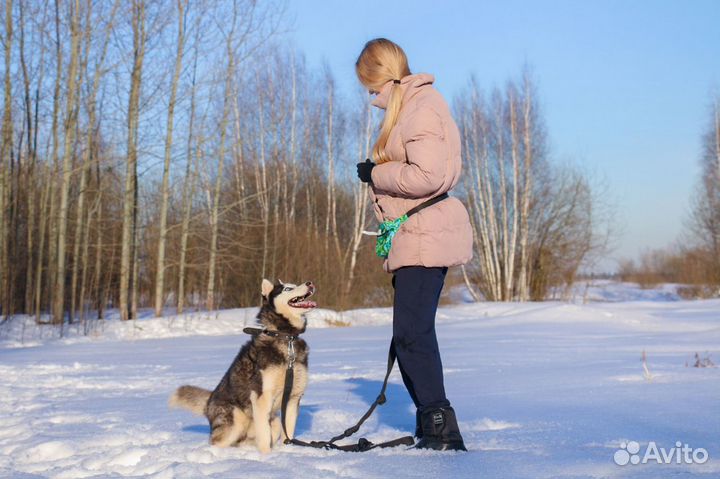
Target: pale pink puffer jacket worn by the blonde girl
(424, 149)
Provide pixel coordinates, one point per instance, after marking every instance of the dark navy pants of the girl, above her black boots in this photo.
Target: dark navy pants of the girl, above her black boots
(417, 293)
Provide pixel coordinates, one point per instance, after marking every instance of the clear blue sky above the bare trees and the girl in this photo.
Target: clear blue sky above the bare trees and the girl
(624, 85)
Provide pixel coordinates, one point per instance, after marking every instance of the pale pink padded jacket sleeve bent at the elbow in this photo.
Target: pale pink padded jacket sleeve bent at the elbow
(426, 149)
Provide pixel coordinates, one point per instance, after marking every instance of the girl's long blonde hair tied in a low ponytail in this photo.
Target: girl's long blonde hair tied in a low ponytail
(380, 62)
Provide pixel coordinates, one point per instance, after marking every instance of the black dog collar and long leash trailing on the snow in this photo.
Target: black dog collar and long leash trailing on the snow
(362, 444)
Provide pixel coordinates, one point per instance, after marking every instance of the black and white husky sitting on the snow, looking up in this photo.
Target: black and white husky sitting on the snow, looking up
(246, 403)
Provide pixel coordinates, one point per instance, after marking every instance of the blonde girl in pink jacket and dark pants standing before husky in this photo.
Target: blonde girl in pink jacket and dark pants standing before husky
(416, 162)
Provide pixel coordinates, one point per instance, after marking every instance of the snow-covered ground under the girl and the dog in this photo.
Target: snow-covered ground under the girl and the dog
(540, 389)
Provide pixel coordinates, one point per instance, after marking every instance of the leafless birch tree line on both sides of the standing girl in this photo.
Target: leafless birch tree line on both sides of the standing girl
(169, 154)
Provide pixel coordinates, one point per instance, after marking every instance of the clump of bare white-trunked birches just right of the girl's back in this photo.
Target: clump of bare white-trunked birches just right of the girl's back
(535, 223)
